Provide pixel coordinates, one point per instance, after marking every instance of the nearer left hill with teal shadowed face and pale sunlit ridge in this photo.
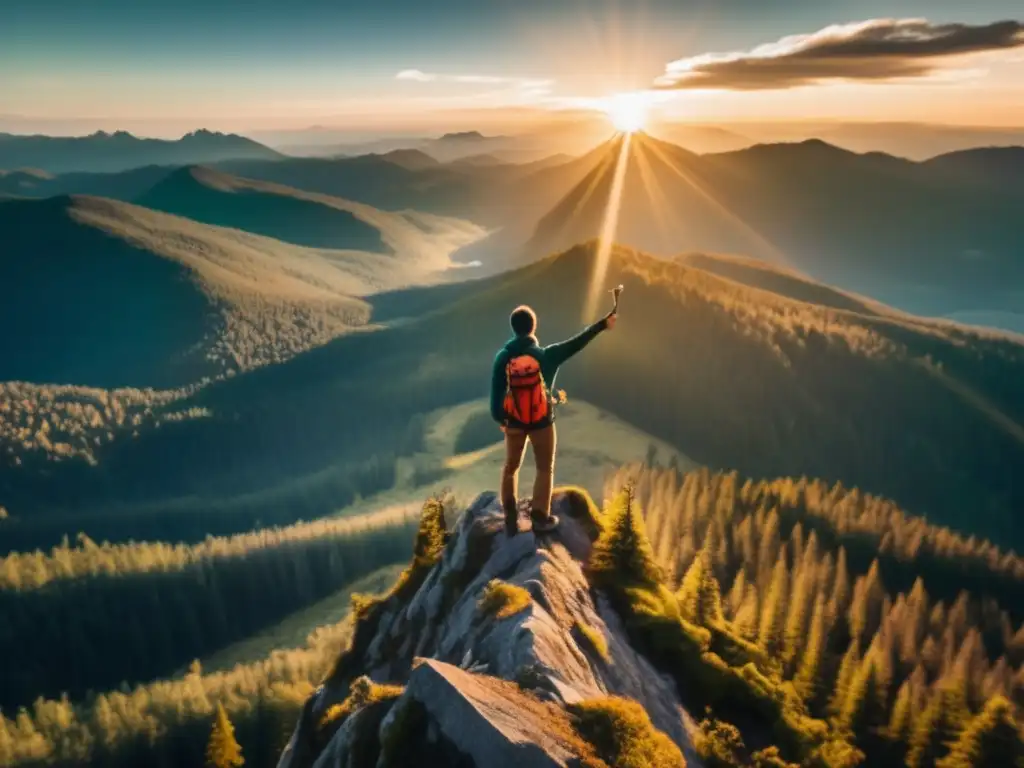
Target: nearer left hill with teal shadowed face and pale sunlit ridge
(109, 294)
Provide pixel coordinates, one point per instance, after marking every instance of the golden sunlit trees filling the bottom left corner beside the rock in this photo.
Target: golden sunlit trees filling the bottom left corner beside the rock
(166, 724)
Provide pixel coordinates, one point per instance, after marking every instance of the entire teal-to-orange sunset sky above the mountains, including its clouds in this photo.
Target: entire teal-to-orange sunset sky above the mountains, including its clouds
(162, 68)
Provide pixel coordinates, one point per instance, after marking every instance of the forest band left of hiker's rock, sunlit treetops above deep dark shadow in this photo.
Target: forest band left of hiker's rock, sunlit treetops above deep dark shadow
(89, 617)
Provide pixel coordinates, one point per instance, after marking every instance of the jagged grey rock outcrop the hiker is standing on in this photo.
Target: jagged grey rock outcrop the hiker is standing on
(478, 670)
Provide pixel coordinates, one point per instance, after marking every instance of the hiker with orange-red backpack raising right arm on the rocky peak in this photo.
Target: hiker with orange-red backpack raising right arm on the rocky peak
(523, 404)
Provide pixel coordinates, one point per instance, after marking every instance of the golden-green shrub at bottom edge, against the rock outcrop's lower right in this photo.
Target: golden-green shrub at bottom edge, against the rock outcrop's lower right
(623, 735)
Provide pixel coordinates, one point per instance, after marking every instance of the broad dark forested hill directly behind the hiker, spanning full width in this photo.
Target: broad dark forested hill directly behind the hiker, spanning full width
(774, 380)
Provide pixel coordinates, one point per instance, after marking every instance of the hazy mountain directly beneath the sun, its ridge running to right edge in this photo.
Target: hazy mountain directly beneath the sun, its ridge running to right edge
(933, 238)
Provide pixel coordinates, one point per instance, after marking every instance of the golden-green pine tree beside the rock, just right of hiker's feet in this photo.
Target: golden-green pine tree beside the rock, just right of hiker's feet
(622, 556)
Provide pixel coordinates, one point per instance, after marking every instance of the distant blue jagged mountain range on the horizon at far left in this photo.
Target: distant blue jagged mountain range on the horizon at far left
(121, 151)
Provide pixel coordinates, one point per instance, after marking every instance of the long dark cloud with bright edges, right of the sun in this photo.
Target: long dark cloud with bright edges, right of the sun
(878, 50)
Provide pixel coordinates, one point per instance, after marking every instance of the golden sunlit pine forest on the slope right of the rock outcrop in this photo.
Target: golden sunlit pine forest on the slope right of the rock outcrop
(907, 676)
